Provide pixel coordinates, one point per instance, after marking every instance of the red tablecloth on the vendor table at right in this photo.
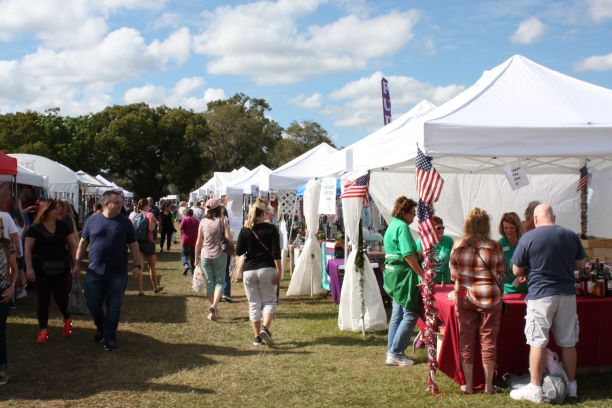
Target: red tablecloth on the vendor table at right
(512, 351)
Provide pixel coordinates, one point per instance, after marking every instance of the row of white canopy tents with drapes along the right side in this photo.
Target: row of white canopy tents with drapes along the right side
(518, 114)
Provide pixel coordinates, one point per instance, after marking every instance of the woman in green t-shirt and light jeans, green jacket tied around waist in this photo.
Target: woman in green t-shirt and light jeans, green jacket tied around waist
(401, 279)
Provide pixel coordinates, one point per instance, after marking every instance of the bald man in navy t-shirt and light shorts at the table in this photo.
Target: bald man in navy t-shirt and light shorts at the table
(550, 253)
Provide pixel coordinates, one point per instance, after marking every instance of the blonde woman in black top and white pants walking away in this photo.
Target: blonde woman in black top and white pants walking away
(259, 240)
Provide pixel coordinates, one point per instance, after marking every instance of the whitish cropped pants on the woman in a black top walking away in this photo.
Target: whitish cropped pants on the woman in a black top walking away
(260, 291)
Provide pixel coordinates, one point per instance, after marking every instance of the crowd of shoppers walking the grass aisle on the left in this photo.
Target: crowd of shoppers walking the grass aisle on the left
(42, 246)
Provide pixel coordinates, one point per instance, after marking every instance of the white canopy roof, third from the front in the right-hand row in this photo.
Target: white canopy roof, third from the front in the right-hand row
(298, 171)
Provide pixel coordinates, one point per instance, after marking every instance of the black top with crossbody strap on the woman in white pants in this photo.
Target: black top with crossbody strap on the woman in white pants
(256, 255)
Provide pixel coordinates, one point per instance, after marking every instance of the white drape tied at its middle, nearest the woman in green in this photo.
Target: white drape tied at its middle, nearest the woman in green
(349, 314)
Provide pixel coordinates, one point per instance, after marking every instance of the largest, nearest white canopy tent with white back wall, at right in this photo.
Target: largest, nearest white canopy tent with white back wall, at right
(518, 111)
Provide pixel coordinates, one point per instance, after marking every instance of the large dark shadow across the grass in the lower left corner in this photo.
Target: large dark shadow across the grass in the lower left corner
(76, 368)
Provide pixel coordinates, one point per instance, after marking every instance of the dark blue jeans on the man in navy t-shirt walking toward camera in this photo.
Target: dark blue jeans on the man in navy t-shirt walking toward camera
(105, 289)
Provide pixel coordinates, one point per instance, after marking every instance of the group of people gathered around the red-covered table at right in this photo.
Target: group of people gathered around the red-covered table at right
(535, 257)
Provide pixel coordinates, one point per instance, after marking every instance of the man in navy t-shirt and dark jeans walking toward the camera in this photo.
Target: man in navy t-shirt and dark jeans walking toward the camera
(109, 234)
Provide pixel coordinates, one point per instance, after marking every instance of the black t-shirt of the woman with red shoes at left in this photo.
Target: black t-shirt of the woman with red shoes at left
(48, 246)
